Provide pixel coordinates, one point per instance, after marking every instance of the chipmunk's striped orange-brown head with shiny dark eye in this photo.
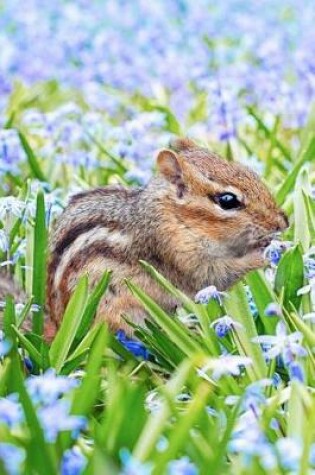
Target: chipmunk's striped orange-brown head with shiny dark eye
(224, 203)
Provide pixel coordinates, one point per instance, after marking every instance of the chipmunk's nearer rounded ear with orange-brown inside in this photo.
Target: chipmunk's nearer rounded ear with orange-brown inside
(169, 166)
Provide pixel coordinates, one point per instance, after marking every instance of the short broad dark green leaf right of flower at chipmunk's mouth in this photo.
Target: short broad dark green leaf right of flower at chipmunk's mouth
(290, 277)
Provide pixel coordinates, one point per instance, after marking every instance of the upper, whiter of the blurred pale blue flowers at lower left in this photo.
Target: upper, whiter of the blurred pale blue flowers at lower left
(48, 387)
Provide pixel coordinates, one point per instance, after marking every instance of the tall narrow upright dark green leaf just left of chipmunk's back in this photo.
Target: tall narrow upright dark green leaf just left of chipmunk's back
(39, 264)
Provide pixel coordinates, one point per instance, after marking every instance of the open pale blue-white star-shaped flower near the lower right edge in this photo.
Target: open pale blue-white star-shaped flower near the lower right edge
(287, 345)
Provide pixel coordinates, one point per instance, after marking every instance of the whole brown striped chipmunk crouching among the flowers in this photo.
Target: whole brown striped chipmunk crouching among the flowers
(200, 221)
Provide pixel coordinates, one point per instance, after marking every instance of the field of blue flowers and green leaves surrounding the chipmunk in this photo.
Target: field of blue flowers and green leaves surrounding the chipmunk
(89, 91)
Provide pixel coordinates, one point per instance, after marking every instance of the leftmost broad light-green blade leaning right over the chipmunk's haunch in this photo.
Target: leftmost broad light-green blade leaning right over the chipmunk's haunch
(70, 323)
